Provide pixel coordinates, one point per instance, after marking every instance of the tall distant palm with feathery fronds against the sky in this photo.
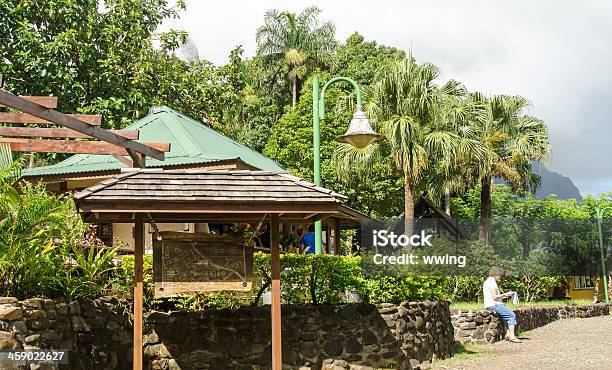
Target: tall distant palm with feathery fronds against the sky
(295, 43)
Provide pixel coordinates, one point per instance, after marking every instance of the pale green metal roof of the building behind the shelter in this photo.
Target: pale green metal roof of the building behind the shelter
(191, 142)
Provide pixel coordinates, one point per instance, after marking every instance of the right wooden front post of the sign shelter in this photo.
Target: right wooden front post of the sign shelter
(277, 357)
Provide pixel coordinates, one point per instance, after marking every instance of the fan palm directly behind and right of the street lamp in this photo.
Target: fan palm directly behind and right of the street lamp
(407, 104)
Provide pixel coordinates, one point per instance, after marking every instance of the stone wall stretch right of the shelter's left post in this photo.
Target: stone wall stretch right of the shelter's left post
(379, 336)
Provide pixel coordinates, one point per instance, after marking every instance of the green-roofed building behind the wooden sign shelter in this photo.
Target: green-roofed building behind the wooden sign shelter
(193, 145)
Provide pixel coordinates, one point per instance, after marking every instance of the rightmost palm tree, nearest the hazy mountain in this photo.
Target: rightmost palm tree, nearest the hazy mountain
(512, 141)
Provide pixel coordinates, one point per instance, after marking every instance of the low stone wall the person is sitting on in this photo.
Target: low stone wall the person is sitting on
(483, 326)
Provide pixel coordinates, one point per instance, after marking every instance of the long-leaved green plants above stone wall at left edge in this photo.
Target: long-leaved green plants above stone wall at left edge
(45, 249)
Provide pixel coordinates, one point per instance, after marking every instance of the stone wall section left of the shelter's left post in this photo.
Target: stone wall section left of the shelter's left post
(97, 333)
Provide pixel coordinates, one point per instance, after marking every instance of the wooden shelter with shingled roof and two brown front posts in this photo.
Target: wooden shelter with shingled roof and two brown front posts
(235, 196)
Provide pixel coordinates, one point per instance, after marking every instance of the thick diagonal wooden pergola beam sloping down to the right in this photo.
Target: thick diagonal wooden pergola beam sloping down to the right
(37, 110)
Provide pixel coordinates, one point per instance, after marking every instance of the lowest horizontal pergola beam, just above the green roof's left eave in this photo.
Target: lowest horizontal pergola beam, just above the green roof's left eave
(73, 146)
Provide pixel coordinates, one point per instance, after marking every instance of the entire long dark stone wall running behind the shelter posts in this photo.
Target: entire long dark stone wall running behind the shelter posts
(99, 334)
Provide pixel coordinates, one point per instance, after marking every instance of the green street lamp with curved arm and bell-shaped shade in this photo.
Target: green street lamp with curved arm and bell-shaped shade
(359, 134)
